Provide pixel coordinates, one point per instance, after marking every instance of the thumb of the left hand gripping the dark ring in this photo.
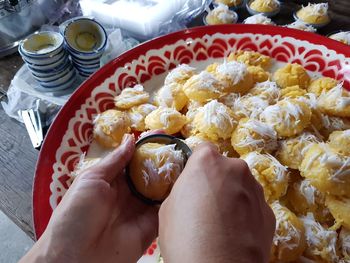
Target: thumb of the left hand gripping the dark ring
(114, 163)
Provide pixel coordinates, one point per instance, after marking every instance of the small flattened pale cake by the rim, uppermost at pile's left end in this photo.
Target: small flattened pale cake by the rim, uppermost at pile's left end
(130, 97)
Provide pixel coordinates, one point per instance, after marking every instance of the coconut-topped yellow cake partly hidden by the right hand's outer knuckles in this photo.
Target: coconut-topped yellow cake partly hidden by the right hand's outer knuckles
(270, 173)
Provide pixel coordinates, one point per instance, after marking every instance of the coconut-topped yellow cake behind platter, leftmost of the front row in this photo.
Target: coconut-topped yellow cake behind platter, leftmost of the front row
(221, 15)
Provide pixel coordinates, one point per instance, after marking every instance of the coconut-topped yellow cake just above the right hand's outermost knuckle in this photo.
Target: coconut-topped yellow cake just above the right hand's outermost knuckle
(252, 135)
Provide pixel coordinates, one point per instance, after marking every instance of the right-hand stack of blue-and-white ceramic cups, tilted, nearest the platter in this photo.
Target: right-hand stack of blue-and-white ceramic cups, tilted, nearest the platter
(86, 41)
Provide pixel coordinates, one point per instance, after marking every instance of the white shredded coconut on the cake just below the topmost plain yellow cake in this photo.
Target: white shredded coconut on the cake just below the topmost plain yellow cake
(233, 70)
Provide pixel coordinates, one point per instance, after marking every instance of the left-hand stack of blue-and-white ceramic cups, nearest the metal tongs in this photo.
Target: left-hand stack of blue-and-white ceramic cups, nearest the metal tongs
(48, 61)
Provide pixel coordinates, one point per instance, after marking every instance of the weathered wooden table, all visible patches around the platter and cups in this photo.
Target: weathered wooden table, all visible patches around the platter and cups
(18, 158)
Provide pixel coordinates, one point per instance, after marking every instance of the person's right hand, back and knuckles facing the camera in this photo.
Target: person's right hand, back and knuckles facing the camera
(216, 212)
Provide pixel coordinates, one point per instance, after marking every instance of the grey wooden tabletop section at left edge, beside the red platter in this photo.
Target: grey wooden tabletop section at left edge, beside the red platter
(17, 163)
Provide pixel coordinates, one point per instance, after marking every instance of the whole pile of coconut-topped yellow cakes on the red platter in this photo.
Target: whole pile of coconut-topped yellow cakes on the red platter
(292, 130)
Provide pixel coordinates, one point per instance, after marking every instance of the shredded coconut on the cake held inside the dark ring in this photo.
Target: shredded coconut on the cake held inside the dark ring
(168, 161)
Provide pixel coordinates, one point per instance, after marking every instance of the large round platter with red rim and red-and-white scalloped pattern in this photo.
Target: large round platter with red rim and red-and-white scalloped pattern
(71, 133)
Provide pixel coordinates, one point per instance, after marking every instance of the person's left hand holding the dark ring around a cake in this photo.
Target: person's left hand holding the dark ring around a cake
(98, 219)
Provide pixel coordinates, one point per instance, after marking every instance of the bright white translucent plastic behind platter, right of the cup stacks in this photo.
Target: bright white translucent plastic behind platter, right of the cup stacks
(144, 19)
